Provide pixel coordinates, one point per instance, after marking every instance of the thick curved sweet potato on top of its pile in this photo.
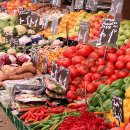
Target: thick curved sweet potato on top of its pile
(26, 68)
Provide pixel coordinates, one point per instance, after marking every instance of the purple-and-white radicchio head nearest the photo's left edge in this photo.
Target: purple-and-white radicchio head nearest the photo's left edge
(9, 59)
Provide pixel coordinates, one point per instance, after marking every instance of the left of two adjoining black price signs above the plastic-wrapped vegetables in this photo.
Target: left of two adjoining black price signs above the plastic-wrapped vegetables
(54, 70)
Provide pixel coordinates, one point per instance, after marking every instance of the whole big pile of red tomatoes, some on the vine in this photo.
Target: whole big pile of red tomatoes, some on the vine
(88, 67)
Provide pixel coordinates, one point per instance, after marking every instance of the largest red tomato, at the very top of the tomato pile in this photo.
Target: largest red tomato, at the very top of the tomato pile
(84, 50)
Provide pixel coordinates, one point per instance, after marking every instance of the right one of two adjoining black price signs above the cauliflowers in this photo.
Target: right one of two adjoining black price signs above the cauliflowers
(34, 19)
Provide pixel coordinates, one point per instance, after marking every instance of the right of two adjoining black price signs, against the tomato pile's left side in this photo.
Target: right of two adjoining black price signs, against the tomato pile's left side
(64, 76)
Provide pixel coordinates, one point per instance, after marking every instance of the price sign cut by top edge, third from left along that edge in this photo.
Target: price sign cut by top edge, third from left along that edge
(92, 5)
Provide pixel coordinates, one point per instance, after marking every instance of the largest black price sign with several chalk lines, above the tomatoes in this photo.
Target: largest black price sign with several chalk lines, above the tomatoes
(109, 30)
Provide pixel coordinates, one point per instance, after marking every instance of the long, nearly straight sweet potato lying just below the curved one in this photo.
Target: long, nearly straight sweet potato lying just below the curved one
(20, 76)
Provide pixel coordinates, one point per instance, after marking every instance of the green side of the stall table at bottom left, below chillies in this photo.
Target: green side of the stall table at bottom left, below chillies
(15, 119)
